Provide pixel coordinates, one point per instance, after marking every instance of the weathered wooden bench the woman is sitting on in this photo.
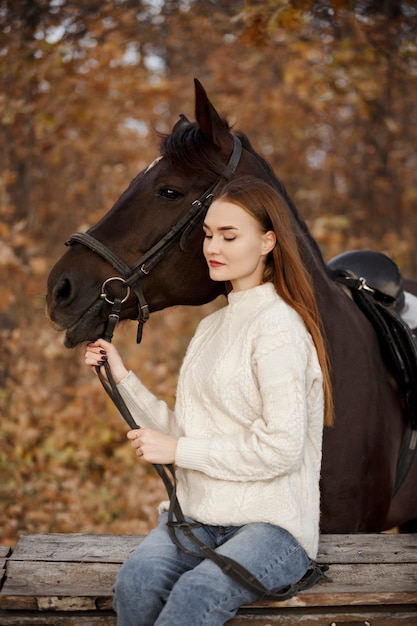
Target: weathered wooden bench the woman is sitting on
(66, 580)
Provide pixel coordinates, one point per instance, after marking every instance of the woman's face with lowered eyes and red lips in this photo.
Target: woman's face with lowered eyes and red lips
(234, 246)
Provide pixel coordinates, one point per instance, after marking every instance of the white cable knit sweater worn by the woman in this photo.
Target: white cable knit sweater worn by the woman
(249, 418)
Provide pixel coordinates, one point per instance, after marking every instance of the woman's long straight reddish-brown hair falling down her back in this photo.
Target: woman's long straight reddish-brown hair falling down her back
(284, 266)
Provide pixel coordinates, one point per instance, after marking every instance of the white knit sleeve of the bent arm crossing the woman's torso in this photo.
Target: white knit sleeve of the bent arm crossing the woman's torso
(275, 442)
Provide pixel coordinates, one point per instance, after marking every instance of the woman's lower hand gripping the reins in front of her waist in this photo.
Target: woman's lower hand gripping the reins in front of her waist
(153, 446)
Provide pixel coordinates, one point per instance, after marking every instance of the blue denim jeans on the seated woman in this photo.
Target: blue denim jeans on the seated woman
(160, 585)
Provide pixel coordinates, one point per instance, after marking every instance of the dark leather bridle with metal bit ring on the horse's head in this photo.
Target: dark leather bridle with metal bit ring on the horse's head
(131, 275)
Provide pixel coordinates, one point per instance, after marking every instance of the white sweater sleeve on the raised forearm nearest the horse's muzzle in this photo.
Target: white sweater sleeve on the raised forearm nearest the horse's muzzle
(146, 409)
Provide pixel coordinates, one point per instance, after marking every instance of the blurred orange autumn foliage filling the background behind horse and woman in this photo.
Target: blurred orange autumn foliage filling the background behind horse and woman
(326, 90)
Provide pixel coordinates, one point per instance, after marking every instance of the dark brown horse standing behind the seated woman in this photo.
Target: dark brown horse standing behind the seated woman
(361, 450)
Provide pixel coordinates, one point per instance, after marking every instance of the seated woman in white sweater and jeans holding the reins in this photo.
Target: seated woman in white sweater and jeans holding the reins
(246, 434)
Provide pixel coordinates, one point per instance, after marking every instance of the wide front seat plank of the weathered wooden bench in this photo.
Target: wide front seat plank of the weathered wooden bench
(67, 586)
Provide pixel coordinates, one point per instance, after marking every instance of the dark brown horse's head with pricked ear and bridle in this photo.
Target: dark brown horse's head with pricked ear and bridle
(194, 157)
